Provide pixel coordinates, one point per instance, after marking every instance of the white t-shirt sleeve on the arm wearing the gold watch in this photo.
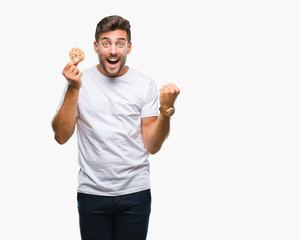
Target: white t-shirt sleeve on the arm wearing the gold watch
(150, 107)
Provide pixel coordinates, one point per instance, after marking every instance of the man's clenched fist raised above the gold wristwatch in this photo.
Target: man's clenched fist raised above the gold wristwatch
(168, 95)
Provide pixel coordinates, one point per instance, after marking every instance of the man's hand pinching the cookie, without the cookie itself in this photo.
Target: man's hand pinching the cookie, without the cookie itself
(73, 75)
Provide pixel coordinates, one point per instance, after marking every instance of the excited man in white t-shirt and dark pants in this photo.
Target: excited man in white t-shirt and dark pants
(115, 109)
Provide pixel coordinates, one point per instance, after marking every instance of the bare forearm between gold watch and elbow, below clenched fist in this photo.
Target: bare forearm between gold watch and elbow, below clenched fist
(158, 133)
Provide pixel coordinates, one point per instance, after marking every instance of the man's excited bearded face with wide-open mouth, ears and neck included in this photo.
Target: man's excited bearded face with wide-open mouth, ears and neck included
(112, 49)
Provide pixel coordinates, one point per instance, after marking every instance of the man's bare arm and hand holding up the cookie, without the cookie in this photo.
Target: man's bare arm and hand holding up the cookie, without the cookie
(64, 122)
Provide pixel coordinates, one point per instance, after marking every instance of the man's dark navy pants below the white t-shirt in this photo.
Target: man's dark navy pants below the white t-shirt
(123, 217)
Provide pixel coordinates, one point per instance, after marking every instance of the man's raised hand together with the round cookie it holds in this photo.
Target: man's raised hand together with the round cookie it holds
(71, 72)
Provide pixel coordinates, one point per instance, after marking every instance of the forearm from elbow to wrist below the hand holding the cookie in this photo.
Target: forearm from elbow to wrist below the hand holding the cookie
(64, 122)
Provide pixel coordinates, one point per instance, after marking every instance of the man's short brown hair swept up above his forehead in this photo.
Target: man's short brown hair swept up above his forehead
(112, 23)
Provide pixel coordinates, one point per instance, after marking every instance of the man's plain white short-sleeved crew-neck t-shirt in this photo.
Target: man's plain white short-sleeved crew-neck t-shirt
(112, 158)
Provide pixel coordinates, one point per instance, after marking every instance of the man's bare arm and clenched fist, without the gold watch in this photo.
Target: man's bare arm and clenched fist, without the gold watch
(155, 130)
